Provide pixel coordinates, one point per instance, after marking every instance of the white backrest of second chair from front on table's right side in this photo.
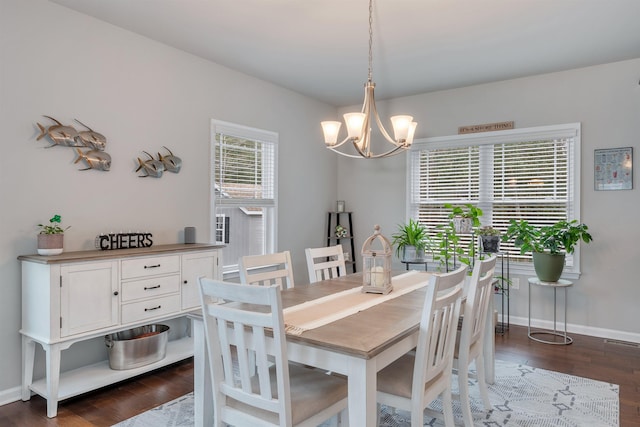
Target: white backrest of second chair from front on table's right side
(476, 305)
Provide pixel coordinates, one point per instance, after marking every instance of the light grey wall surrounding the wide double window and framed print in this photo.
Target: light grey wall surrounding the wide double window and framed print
(606, 100)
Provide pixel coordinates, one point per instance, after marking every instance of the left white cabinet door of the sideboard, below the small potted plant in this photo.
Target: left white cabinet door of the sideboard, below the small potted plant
(88, 297)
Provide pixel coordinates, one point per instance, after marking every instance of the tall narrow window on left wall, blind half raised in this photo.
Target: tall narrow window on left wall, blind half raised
(243, 191)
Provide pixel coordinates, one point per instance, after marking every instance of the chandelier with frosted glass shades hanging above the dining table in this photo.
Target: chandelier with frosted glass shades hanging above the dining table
(359, 124)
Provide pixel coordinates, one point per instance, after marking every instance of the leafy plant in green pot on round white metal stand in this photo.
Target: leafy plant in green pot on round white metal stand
(548, 245)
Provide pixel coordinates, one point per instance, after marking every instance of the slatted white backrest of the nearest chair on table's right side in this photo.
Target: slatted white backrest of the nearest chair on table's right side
(438, 328)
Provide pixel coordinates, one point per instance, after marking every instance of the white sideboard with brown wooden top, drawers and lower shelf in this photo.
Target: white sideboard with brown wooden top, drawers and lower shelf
(76, 296)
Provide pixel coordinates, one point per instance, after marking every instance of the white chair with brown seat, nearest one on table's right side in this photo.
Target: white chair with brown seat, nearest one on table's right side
(413, 381)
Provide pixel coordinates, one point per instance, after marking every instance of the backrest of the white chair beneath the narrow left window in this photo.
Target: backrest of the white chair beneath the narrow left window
(268, 269)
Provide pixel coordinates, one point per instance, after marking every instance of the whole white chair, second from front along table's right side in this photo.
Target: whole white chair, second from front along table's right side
(471, 338)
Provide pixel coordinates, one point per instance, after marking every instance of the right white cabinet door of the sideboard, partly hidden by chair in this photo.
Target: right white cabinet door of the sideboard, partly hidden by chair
(195, 265)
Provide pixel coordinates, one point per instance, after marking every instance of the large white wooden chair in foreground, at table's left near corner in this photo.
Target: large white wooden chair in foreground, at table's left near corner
(281, 394)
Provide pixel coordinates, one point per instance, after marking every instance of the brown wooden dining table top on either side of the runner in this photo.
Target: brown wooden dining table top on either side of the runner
(366, 333)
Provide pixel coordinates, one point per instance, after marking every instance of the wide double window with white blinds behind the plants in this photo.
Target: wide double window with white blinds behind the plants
(531, 174)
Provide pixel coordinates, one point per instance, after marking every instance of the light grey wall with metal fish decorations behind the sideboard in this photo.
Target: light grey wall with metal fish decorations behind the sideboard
(141, 95)
